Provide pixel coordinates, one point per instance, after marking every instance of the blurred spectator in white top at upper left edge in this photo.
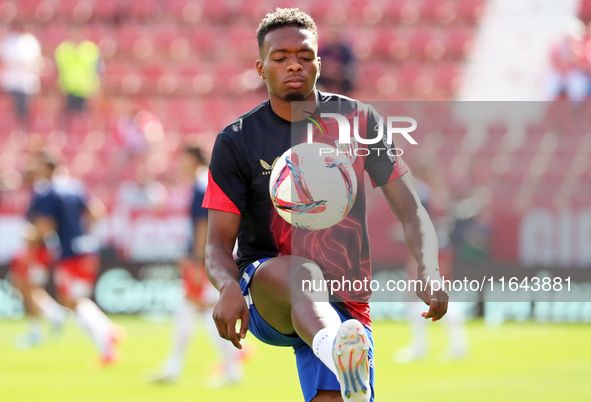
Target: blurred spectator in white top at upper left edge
(20, 53)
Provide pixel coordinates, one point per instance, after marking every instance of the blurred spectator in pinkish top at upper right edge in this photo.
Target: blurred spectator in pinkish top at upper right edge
(569, 77)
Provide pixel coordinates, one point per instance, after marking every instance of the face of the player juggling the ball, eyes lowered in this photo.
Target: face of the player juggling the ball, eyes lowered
(290, 64)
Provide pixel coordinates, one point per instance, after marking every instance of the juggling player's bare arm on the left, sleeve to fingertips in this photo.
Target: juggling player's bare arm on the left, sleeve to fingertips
(223, 274)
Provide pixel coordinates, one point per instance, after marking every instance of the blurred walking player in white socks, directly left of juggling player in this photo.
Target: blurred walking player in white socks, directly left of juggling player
(200, 295)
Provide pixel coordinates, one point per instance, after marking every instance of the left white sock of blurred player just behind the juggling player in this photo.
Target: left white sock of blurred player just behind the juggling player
(183, 330)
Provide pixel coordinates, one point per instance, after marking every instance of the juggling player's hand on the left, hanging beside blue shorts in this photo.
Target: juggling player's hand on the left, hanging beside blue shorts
(228, 310)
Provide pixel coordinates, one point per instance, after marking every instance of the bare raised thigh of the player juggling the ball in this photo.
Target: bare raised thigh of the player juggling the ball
(273, 286)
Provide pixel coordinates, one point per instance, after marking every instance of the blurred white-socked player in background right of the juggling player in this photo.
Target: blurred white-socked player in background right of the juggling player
(424, 179)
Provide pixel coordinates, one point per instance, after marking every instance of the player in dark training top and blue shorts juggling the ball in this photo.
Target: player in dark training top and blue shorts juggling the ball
(332, 339)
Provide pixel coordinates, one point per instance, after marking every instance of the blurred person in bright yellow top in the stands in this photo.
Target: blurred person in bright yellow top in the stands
(79, 65)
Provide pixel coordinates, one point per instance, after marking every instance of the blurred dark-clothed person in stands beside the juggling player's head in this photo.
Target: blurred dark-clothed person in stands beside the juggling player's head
(338, 64)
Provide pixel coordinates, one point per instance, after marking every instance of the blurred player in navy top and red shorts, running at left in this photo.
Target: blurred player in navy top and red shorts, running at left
(62, 205)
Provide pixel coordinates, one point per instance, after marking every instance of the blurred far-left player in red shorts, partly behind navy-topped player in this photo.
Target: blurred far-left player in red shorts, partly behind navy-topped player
(29, 271)
